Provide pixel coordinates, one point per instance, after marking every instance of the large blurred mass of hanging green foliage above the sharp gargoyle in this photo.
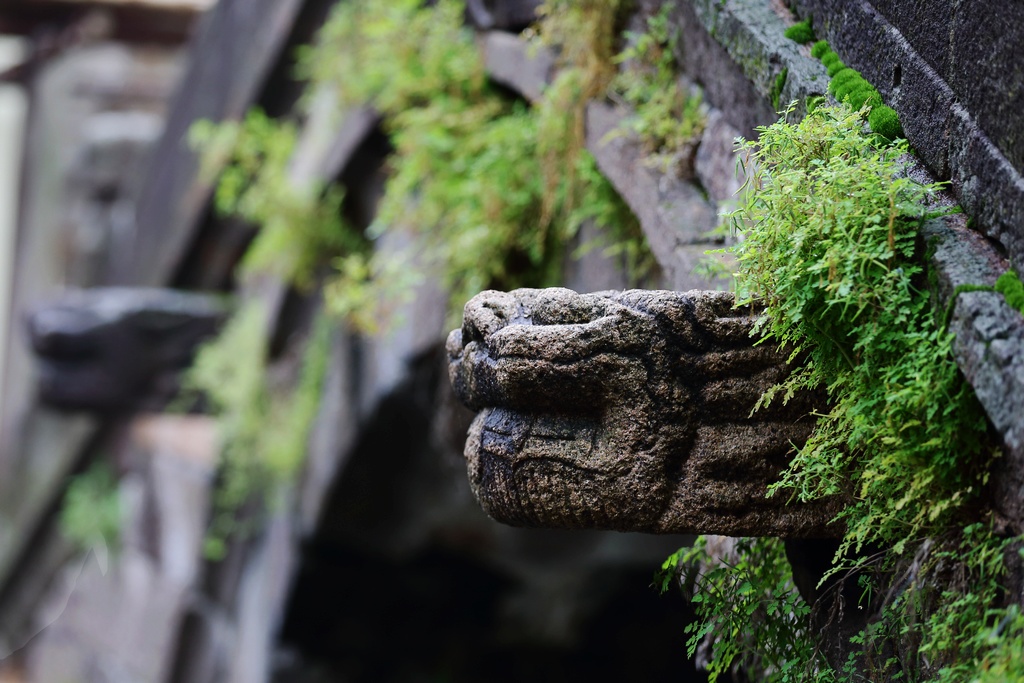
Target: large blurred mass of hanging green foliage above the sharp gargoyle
(489, 189)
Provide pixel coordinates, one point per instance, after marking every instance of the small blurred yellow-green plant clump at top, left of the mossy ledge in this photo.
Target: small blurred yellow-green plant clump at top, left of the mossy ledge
(668, 118)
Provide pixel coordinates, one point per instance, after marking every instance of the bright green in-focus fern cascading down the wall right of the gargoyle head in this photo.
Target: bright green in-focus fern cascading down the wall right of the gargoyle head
(830, 248)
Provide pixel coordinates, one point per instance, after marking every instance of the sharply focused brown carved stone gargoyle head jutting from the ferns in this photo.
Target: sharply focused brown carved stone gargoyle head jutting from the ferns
(629, 411)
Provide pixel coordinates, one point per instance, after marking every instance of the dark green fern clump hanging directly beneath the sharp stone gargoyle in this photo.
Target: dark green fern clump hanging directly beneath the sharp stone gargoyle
(751, 618)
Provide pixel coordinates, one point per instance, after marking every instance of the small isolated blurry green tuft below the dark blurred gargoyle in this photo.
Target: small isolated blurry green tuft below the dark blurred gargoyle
(91, 516)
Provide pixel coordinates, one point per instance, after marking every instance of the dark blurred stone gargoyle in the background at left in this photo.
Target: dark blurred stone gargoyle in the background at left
(114, 349)
